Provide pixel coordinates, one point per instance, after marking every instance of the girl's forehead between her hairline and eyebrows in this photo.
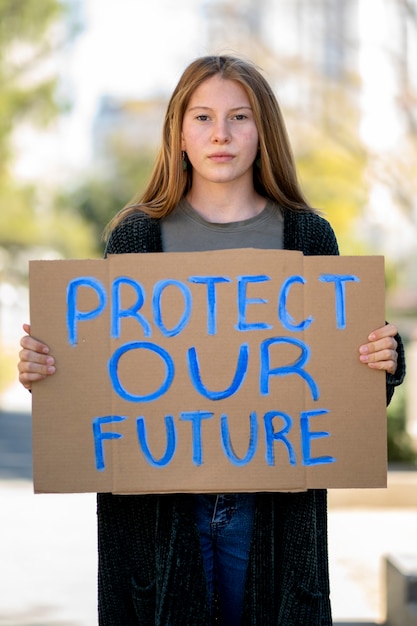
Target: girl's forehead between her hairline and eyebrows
(217, 91)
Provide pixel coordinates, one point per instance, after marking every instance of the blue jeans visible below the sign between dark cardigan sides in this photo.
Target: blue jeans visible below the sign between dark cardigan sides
(225, 522)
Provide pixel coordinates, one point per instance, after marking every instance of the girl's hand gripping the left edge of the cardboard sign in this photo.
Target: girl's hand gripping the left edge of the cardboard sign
(35, 362)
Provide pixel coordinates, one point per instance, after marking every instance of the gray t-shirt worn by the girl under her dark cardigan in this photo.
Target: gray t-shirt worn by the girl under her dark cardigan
(184, 230)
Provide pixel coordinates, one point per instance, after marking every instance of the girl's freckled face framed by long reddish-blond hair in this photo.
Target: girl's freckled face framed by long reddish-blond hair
(219, 133)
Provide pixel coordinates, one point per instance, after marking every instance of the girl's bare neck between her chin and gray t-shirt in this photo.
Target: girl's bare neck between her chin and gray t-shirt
(222, 204)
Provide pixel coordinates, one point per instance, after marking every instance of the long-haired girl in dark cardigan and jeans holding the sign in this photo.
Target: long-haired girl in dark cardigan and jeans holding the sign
(224, 178)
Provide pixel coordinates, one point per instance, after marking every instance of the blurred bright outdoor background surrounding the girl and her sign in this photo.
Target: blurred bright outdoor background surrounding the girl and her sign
(83, 90)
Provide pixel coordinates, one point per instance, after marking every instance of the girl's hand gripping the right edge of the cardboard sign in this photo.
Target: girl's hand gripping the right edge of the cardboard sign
(381, 351)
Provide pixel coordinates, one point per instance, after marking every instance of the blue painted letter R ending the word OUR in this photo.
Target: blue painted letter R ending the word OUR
(286, 370)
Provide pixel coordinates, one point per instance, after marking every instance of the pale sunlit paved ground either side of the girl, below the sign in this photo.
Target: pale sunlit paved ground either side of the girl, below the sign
(48, 554)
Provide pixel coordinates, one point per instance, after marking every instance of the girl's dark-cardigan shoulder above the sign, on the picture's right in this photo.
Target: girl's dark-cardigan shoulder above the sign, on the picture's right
(309, 232)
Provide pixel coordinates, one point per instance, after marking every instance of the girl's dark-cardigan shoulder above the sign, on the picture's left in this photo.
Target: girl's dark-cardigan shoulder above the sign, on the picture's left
(137, 232)
